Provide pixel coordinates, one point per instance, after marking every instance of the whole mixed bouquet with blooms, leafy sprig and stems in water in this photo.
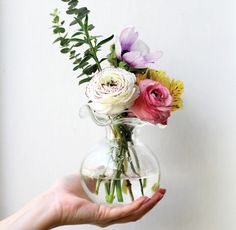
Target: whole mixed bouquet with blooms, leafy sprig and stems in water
(124, 86)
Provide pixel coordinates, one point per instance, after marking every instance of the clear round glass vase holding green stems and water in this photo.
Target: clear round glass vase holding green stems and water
(120, 169)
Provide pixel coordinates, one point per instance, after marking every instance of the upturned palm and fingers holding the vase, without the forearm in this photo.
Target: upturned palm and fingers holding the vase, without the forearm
(74, 207)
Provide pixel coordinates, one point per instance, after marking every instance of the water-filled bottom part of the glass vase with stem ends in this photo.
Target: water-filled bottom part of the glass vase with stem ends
(103, 191)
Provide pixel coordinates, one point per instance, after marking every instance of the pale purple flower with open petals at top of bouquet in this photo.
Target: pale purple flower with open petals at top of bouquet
(134, 51)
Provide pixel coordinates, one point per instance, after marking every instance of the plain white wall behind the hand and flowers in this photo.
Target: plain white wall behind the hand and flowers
(42, 137)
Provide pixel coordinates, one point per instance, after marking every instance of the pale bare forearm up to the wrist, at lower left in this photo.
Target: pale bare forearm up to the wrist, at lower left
(39, 214)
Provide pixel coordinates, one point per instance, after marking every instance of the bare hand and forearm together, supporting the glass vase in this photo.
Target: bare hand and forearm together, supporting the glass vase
(65, 203)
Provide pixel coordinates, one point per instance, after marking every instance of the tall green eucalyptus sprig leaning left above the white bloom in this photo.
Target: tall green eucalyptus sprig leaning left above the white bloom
(87, 61)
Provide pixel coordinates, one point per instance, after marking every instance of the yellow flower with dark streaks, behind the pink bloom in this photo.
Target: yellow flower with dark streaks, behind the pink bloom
(176, 87)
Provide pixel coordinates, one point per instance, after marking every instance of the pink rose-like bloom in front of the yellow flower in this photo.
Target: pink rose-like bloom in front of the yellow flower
(153, 104)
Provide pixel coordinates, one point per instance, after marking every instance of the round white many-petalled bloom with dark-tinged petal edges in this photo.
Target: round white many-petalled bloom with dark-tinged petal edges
(112, 90)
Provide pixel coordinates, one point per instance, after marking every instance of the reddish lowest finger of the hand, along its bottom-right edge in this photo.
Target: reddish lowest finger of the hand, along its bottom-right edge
(146, 206)
